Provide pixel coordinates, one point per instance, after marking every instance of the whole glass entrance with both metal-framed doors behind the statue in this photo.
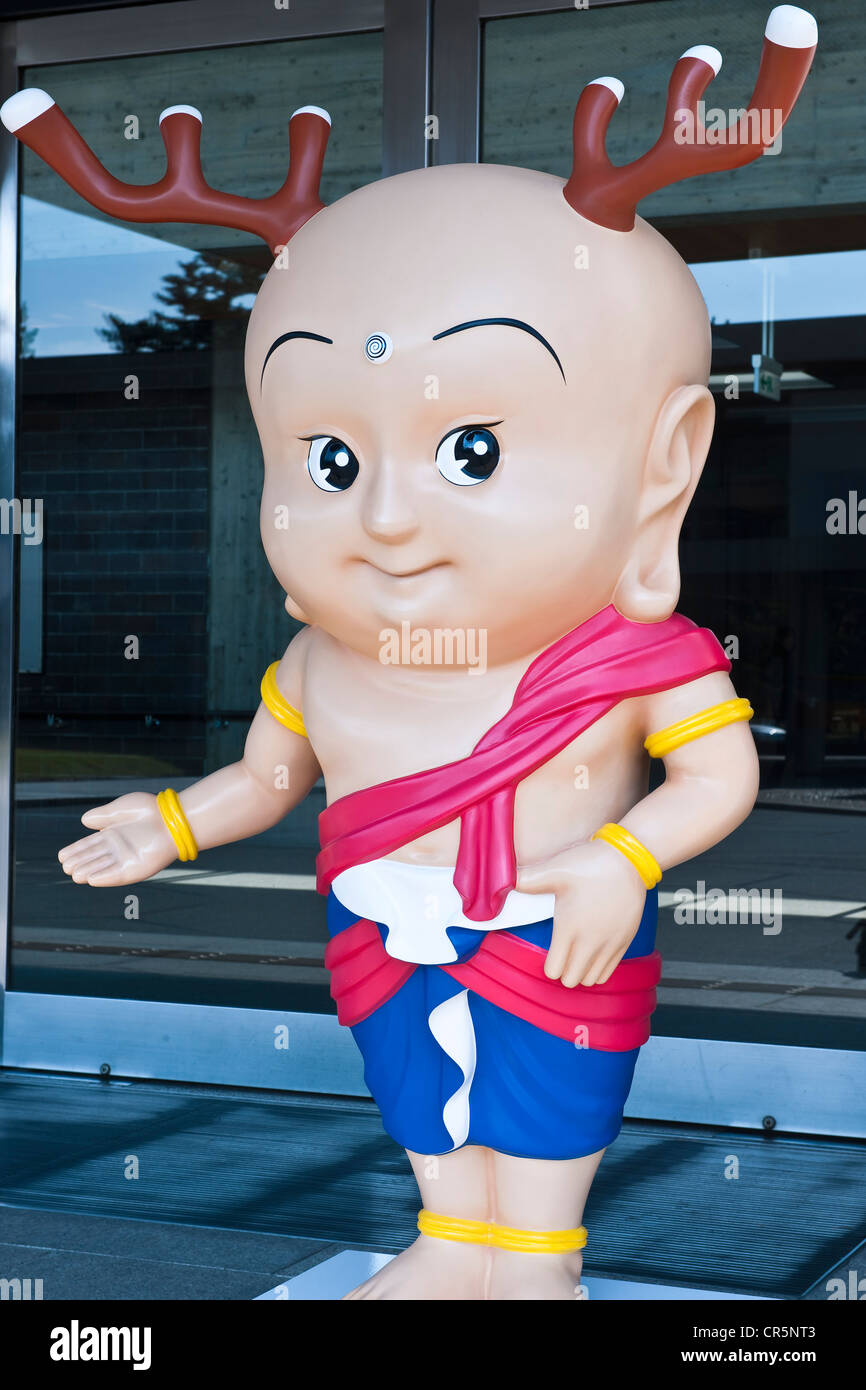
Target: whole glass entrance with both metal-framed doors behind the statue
(149, 532)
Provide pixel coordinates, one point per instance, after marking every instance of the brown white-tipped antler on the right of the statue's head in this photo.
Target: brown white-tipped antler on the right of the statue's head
(610, 195)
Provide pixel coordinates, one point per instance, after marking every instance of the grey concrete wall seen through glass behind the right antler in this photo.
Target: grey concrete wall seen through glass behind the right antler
(536, 67)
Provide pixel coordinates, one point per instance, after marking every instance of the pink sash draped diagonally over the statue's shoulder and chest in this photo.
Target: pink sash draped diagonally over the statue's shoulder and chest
(566, 689)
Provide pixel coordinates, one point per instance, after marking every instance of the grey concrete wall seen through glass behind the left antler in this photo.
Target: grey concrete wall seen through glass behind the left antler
(245, 95)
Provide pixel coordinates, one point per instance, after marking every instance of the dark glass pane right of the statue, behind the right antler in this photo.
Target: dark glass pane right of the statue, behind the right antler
(772, 553)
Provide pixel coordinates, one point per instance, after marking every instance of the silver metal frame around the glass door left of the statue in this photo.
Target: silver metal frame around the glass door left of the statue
(77, 1033)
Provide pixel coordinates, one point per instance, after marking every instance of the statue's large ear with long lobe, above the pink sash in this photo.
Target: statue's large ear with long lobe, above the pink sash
(650, 586)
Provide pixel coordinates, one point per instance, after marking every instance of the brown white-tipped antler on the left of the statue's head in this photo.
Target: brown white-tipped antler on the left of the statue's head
(183, 195)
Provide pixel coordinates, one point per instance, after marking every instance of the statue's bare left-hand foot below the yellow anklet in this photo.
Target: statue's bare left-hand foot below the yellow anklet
(432, 1270)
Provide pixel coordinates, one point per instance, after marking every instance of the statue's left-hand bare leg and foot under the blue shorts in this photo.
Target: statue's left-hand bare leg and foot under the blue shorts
(452, 1185)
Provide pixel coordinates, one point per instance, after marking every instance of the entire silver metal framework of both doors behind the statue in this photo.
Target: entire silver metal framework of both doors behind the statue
(432, 66)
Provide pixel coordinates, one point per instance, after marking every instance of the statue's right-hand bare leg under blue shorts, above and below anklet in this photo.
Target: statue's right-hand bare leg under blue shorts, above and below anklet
(540, 1195)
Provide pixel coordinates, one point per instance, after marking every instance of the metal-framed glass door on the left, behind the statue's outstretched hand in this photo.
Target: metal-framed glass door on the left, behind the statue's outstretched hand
(147, 610)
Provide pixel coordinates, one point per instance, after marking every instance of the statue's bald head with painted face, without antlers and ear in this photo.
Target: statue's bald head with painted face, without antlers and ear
(446, 301)
